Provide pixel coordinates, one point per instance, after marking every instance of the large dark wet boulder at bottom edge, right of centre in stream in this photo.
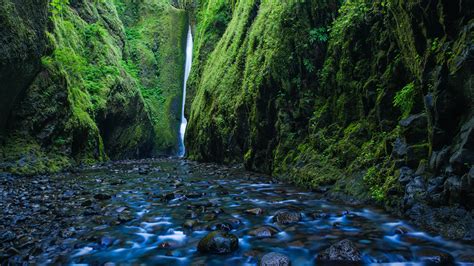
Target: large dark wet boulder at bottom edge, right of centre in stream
(343, 251)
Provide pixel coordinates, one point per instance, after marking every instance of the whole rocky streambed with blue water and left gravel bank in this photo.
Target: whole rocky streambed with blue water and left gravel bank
(175, 212)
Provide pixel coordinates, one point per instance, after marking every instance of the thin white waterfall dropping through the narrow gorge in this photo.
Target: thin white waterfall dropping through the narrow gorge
(187, 70)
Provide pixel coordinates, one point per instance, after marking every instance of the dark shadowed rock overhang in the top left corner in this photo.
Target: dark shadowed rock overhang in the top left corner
(22, 43)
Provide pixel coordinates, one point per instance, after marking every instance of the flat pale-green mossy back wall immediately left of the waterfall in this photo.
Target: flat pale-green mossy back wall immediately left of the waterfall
(156, 33)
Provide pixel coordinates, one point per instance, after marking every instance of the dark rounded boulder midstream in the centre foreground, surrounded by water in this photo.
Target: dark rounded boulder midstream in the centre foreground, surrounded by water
(218, 242)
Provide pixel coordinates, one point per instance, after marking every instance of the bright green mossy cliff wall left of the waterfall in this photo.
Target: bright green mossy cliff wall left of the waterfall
(100, 88)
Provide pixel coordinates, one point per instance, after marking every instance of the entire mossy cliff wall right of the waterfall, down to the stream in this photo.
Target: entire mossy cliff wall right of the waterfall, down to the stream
(368, 99)
